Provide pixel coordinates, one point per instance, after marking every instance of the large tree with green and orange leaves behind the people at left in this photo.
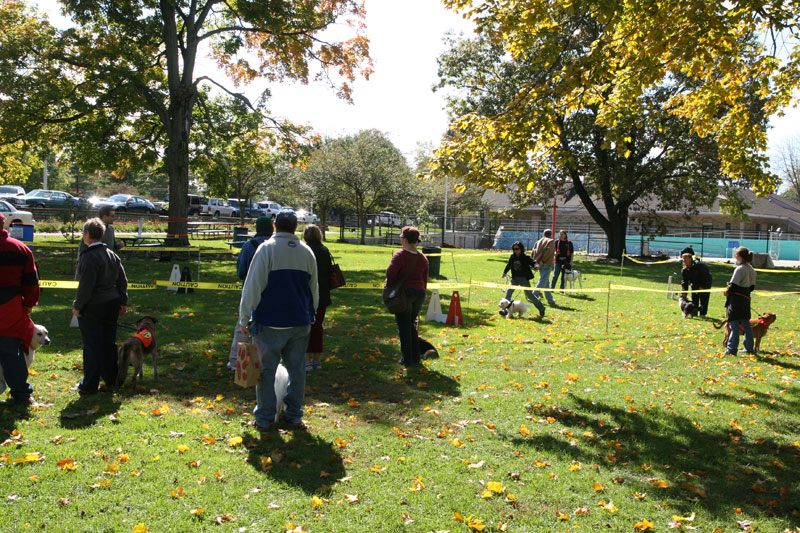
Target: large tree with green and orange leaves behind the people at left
(120, 87)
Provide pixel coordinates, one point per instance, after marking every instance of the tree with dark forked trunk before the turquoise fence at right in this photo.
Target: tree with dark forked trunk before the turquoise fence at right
(515, 132)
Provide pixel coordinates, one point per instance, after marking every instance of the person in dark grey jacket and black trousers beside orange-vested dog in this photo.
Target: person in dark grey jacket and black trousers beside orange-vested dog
(102, 296)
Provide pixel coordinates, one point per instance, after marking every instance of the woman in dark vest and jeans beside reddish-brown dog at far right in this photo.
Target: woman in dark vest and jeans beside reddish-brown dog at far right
(737, 302)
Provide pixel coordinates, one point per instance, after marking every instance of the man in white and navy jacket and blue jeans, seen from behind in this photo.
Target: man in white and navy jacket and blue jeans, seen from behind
(280, 298)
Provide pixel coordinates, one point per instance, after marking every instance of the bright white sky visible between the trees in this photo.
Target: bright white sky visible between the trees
(406, 38)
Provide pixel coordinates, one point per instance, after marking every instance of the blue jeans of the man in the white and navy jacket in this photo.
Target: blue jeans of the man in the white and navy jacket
(272, 343)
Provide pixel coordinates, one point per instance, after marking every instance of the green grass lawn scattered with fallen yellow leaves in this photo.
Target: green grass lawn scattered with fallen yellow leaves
(520, 425)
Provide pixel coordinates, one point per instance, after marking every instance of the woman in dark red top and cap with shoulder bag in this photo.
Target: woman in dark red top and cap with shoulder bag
(413, 264)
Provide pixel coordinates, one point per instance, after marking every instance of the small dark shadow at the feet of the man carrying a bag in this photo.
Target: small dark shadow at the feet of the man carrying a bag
(303, 460)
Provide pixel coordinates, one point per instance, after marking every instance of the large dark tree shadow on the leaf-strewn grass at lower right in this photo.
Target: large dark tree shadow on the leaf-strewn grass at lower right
(720, 468)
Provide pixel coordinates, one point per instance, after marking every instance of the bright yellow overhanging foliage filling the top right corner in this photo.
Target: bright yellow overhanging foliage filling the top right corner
(638, 45)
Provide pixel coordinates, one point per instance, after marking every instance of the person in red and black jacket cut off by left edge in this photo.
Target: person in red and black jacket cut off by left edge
(19, 292)
